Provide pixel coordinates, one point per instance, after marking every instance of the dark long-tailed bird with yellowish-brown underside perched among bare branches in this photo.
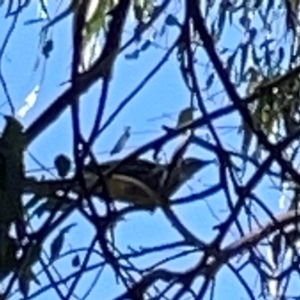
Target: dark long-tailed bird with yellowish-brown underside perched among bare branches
(140, 182)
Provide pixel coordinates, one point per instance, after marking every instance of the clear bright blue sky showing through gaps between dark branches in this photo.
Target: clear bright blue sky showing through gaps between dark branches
(164, 94)
